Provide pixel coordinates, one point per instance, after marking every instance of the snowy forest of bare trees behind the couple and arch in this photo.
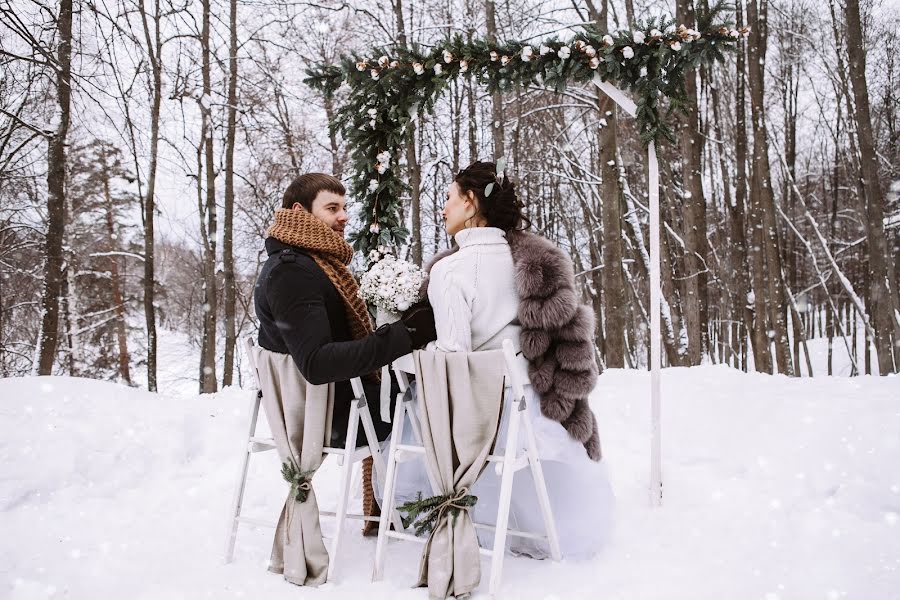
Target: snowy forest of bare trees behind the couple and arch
(145, 143)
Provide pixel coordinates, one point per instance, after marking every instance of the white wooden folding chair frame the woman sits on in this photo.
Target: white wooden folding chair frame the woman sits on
(507, 464)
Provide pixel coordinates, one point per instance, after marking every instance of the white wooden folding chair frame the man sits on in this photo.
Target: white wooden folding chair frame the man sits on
(347, 456)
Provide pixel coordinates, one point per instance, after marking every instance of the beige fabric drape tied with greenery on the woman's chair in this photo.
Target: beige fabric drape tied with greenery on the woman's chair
(460, 398)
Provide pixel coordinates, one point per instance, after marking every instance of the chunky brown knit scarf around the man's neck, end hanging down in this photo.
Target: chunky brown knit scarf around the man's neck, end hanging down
(301, 229)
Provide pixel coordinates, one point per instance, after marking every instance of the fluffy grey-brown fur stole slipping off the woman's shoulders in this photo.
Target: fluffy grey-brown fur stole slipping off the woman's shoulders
(557, 335)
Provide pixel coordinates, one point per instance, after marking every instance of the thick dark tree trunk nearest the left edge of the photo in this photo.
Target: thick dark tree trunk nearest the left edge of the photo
(56, 200)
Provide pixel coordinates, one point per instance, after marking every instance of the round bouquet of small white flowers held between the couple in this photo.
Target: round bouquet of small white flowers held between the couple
(391, 284)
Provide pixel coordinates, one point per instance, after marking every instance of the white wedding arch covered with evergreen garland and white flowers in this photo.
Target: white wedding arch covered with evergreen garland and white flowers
(387, 87)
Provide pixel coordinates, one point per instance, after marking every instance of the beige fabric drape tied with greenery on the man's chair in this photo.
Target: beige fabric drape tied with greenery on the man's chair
(299, 416)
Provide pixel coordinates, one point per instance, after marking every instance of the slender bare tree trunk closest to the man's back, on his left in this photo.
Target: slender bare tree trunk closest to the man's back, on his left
(228, 230)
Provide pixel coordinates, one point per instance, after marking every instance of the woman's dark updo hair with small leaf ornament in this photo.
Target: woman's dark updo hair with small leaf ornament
(496, 196)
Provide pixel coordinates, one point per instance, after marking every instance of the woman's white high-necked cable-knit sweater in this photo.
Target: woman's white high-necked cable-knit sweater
(473, 294)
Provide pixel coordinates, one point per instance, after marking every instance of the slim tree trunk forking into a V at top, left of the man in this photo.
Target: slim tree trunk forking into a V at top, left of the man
(154, 52)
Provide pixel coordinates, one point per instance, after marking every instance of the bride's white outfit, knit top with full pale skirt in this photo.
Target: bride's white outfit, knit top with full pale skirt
(473, 295)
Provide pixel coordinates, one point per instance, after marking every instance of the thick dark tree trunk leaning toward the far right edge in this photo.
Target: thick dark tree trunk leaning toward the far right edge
(882, 284)
